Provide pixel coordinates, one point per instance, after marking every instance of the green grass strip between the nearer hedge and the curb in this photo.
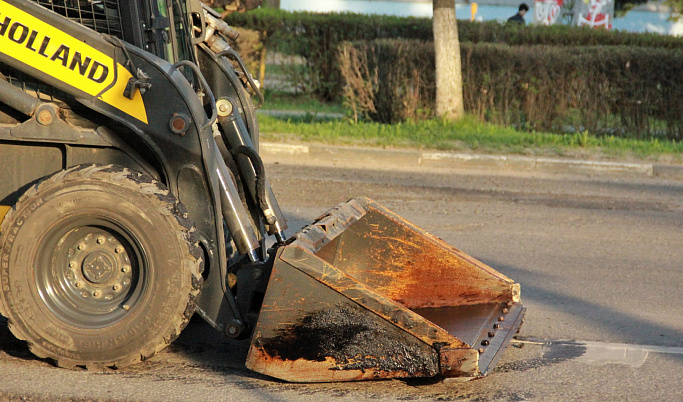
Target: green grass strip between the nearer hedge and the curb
(468, 134)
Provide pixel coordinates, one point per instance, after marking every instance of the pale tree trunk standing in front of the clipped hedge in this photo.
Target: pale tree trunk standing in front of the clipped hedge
(449, 100)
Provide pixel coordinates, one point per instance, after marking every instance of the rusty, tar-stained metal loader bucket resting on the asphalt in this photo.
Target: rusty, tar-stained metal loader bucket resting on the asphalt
(363, 294)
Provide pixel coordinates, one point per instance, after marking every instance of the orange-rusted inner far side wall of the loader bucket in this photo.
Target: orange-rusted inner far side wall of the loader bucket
(411, 267)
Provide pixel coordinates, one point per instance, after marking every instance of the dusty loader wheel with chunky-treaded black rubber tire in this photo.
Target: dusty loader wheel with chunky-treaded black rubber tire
(75, 237)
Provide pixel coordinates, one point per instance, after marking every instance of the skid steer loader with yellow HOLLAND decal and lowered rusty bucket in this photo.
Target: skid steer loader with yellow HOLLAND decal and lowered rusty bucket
(131, 179)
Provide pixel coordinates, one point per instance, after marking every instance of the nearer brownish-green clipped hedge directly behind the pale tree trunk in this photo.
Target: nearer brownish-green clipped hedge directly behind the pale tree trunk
(608, 90)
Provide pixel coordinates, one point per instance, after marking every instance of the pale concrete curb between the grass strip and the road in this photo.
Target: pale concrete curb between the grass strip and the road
(397, 157)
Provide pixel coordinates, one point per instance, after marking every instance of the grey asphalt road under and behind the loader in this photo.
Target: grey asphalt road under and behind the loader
(600, 261)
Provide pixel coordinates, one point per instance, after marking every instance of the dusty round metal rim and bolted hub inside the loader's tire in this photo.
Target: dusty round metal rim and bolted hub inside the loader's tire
(95, 276)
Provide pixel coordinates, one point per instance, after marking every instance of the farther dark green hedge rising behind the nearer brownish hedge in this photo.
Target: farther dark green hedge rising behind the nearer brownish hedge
(316, 36)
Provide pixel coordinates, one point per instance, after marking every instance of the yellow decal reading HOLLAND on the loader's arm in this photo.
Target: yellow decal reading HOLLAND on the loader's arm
(38, 44)
